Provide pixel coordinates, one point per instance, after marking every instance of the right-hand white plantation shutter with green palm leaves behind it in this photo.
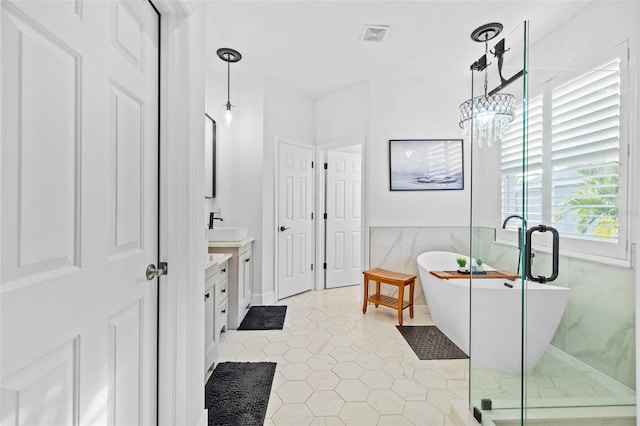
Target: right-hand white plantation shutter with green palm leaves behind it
(585, 153)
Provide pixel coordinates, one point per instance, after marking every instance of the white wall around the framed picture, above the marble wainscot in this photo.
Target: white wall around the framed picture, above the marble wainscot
(381, 110)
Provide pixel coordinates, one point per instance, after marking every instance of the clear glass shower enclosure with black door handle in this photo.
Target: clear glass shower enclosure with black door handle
(553, 282)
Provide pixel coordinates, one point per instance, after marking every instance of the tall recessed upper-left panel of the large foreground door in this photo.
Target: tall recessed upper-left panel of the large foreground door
(33, 246)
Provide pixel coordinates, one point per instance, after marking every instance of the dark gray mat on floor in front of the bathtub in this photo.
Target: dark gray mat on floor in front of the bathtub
(428, 342)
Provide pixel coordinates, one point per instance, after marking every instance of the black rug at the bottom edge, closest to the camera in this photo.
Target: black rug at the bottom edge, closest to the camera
(237, 393)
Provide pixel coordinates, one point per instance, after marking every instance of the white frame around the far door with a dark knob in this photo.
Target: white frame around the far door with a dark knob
(276, 207)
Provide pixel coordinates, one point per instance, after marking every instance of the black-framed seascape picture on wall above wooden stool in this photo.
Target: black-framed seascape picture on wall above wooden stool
(426, 164)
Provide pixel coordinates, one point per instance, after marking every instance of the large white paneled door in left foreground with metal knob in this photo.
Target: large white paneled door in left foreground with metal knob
(79, 212)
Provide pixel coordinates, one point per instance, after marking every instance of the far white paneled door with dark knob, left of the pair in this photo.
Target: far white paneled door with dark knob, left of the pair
(295, 223)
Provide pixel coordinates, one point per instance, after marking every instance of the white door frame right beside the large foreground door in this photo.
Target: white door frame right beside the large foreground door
(180, 396)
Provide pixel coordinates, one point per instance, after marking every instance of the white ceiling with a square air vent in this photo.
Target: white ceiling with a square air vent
(314, 46)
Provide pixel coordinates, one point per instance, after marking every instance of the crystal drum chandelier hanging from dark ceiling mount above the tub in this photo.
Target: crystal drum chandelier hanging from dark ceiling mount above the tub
(487, 118)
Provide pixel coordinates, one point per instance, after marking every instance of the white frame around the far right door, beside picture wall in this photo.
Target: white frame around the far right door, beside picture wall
(322, 152)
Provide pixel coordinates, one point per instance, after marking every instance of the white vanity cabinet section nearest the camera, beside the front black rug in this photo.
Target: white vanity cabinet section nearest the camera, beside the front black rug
(216, 311)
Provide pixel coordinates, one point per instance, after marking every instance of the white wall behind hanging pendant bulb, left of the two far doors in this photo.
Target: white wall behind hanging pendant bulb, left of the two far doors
(246, 160)
